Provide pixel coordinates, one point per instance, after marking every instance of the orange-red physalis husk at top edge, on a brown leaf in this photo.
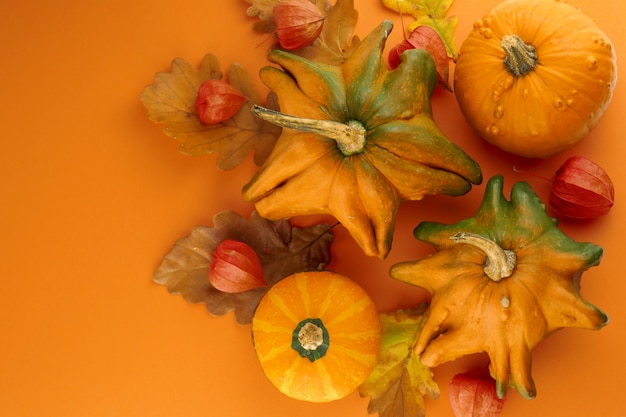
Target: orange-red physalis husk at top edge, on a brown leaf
(298, 23)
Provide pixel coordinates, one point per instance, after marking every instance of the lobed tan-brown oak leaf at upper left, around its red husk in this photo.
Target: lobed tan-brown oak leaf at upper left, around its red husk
(171, 101)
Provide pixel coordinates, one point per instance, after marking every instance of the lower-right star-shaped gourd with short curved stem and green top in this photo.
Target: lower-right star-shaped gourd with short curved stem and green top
(501, 282)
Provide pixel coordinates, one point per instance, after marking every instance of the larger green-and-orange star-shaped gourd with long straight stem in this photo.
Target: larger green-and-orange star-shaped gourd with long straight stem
(357, 141)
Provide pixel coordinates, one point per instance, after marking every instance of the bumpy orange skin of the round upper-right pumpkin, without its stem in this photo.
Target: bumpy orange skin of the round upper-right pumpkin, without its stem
(551, 108)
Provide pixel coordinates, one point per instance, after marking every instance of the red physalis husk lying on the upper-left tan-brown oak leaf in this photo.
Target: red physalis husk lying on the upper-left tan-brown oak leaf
(218, 101)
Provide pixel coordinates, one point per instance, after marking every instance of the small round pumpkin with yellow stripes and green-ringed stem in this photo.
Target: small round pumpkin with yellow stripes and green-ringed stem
(317, 335)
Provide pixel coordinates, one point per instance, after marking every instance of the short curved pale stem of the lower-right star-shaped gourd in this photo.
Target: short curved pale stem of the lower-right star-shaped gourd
(500, 262)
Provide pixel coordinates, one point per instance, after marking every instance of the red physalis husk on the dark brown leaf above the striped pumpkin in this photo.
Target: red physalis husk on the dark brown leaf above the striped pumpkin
(235, 268)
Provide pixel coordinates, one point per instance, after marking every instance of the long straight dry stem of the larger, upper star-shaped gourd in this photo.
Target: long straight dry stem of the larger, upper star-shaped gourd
(350, 136)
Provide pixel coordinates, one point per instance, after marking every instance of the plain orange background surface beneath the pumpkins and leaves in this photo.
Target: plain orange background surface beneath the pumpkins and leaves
(93, 195)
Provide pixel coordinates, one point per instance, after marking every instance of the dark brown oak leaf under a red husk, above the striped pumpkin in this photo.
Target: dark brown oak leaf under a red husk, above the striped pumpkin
(282, 249)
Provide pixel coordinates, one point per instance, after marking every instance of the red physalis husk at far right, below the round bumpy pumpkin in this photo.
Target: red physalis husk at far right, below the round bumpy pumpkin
(582, 189)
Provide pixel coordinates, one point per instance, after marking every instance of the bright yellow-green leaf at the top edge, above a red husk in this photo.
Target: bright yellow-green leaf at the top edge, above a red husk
(430, 13)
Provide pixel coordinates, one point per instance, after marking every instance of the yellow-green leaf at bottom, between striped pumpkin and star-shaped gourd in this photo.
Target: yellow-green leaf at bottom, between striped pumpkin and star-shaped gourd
(399, 382)
